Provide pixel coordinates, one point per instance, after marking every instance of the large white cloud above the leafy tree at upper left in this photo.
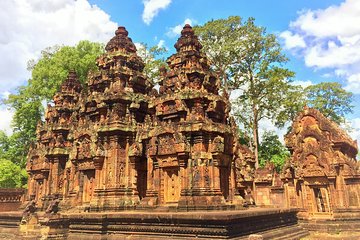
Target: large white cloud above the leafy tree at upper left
(29, 26)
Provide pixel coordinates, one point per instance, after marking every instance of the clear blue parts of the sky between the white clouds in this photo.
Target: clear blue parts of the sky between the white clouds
(274, 15)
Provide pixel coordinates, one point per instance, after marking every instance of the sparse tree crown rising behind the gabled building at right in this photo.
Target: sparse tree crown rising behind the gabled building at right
(330, 99)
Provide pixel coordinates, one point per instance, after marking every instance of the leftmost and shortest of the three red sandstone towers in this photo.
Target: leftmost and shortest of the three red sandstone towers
(48, 159)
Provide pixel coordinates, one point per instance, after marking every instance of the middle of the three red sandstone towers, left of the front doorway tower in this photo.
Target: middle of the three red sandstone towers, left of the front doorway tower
(108, 121)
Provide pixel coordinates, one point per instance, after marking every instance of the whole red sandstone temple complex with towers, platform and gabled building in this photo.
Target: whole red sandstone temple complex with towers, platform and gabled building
(121, 145)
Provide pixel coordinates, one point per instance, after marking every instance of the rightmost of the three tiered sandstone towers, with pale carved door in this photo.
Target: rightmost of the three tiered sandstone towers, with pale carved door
(189, 147)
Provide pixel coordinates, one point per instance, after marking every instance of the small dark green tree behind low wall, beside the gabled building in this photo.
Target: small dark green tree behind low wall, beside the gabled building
(272, 150)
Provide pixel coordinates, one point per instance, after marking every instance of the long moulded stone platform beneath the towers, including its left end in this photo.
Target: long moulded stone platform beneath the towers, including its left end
(236, 224)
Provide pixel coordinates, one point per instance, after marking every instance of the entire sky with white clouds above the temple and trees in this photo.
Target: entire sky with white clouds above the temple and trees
(321, 37)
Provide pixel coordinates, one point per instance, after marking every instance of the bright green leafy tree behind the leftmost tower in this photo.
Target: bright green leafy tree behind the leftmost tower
(46, 77)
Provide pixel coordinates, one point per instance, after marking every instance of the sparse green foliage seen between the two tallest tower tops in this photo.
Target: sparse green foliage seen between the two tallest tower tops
(153, 59)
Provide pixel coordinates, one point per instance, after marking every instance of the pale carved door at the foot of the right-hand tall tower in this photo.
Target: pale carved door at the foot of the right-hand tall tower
(171, 185)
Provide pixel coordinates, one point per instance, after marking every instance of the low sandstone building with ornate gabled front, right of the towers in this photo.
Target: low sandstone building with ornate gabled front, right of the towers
(322, 175)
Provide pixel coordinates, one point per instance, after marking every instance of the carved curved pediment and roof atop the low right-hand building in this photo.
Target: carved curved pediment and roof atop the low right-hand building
(319, 147)
